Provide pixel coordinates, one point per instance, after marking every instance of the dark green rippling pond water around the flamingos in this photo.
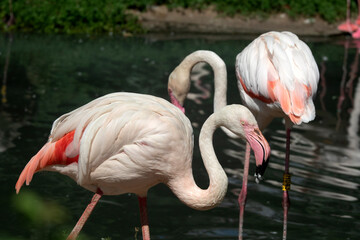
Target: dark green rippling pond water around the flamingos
(46, 76)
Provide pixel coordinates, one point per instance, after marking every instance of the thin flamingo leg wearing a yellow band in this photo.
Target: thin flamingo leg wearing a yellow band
(286, 184)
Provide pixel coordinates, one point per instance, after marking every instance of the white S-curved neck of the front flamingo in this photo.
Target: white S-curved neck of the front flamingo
(184, 186)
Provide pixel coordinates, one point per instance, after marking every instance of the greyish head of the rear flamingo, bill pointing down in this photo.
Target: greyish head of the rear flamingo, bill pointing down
(178, 87)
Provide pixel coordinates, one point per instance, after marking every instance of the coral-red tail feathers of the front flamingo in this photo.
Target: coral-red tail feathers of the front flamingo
(51, 153)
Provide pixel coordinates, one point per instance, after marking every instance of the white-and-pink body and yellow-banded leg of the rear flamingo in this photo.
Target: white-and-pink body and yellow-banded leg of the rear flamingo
(278, 77)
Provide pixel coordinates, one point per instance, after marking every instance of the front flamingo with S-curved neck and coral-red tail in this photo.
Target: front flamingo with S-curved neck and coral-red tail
(127, 143)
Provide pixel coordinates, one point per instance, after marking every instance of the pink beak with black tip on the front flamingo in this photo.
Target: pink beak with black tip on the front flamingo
(261, 150)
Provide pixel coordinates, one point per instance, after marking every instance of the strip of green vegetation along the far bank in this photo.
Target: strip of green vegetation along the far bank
(98, 16)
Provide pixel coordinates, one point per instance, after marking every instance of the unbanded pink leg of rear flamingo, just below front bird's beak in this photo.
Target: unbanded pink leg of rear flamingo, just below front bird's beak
(242, 196)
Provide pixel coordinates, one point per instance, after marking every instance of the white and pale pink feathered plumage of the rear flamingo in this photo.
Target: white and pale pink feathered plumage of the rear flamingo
(279, 68)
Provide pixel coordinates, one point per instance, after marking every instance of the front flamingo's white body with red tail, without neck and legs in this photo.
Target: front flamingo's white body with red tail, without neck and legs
(120, 143)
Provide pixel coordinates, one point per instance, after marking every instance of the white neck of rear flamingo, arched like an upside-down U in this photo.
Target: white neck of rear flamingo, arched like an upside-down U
(220, 73)
